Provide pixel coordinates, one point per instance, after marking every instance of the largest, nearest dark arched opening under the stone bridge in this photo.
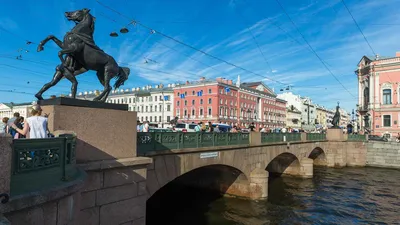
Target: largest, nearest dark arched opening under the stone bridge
(188, 198)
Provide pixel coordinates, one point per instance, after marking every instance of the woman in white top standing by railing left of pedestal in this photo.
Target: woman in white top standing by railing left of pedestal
(35, 126)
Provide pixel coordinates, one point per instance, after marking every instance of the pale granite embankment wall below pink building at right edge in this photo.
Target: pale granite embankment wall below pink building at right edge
(383, 154)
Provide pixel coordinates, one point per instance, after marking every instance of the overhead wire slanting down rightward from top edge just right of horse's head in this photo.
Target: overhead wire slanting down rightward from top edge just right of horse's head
(189, 46)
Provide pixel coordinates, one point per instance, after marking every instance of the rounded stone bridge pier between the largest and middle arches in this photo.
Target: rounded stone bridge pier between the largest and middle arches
(258, 188)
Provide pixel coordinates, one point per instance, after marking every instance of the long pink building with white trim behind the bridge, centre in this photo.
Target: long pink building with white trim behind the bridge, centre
(223, 101)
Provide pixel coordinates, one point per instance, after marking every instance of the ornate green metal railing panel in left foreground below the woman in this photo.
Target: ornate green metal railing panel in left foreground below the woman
(42, 163)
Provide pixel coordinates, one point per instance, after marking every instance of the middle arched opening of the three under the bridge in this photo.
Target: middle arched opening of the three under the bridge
(283, 164)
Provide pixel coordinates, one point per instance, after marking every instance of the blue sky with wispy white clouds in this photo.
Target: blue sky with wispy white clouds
(230, 30)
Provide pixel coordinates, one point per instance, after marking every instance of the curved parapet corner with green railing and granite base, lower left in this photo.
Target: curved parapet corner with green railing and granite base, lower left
(43, 180)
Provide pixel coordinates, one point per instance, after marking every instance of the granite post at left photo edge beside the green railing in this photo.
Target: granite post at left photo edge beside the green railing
(5, 163)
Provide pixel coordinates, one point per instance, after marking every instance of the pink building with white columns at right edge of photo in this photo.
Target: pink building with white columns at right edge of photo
(379, 99)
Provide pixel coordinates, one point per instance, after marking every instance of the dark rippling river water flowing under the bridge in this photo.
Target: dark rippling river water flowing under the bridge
(333, 196)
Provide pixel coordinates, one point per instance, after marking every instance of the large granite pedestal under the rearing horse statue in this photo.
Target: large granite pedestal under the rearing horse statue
(105, 131)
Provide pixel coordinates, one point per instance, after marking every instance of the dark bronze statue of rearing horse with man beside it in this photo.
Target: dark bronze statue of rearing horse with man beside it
(82, 54)
